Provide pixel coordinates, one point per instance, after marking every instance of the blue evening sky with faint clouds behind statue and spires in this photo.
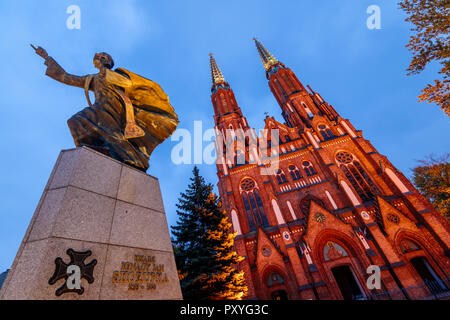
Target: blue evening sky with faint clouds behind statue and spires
(361, 72)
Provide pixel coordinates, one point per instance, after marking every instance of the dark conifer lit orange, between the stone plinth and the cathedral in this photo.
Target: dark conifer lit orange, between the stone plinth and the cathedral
(203, 246)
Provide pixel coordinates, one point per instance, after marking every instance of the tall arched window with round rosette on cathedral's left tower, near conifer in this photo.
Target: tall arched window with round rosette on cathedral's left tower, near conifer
(253, 205)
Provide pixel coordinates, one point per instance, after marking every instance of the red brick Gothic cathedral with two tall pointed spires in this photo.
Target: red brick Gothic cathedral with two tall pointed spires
(333, 207)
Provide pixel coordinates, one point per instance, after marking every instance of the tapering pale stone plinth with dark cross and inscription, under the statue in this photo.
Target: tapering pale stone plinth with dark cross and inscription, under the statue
(92, 202)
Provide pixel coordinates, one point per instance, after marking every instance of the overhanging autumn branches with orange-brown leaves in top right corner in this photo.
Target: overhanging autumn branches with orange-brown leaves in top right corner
(430, 42)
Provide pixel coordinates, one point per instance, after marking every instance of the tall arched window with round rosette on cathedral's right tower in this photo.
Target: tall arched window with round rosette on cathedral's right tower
(357, 176)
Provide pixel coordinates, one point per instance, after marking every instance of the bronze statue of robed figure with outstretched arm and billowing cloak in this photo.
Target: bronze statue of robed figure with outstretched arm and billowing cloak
(131, 114)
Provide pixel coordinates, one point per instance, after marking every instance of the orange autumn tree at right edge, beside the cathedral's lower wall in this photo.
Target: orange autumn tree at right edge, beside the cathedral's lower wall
(432, 179)
